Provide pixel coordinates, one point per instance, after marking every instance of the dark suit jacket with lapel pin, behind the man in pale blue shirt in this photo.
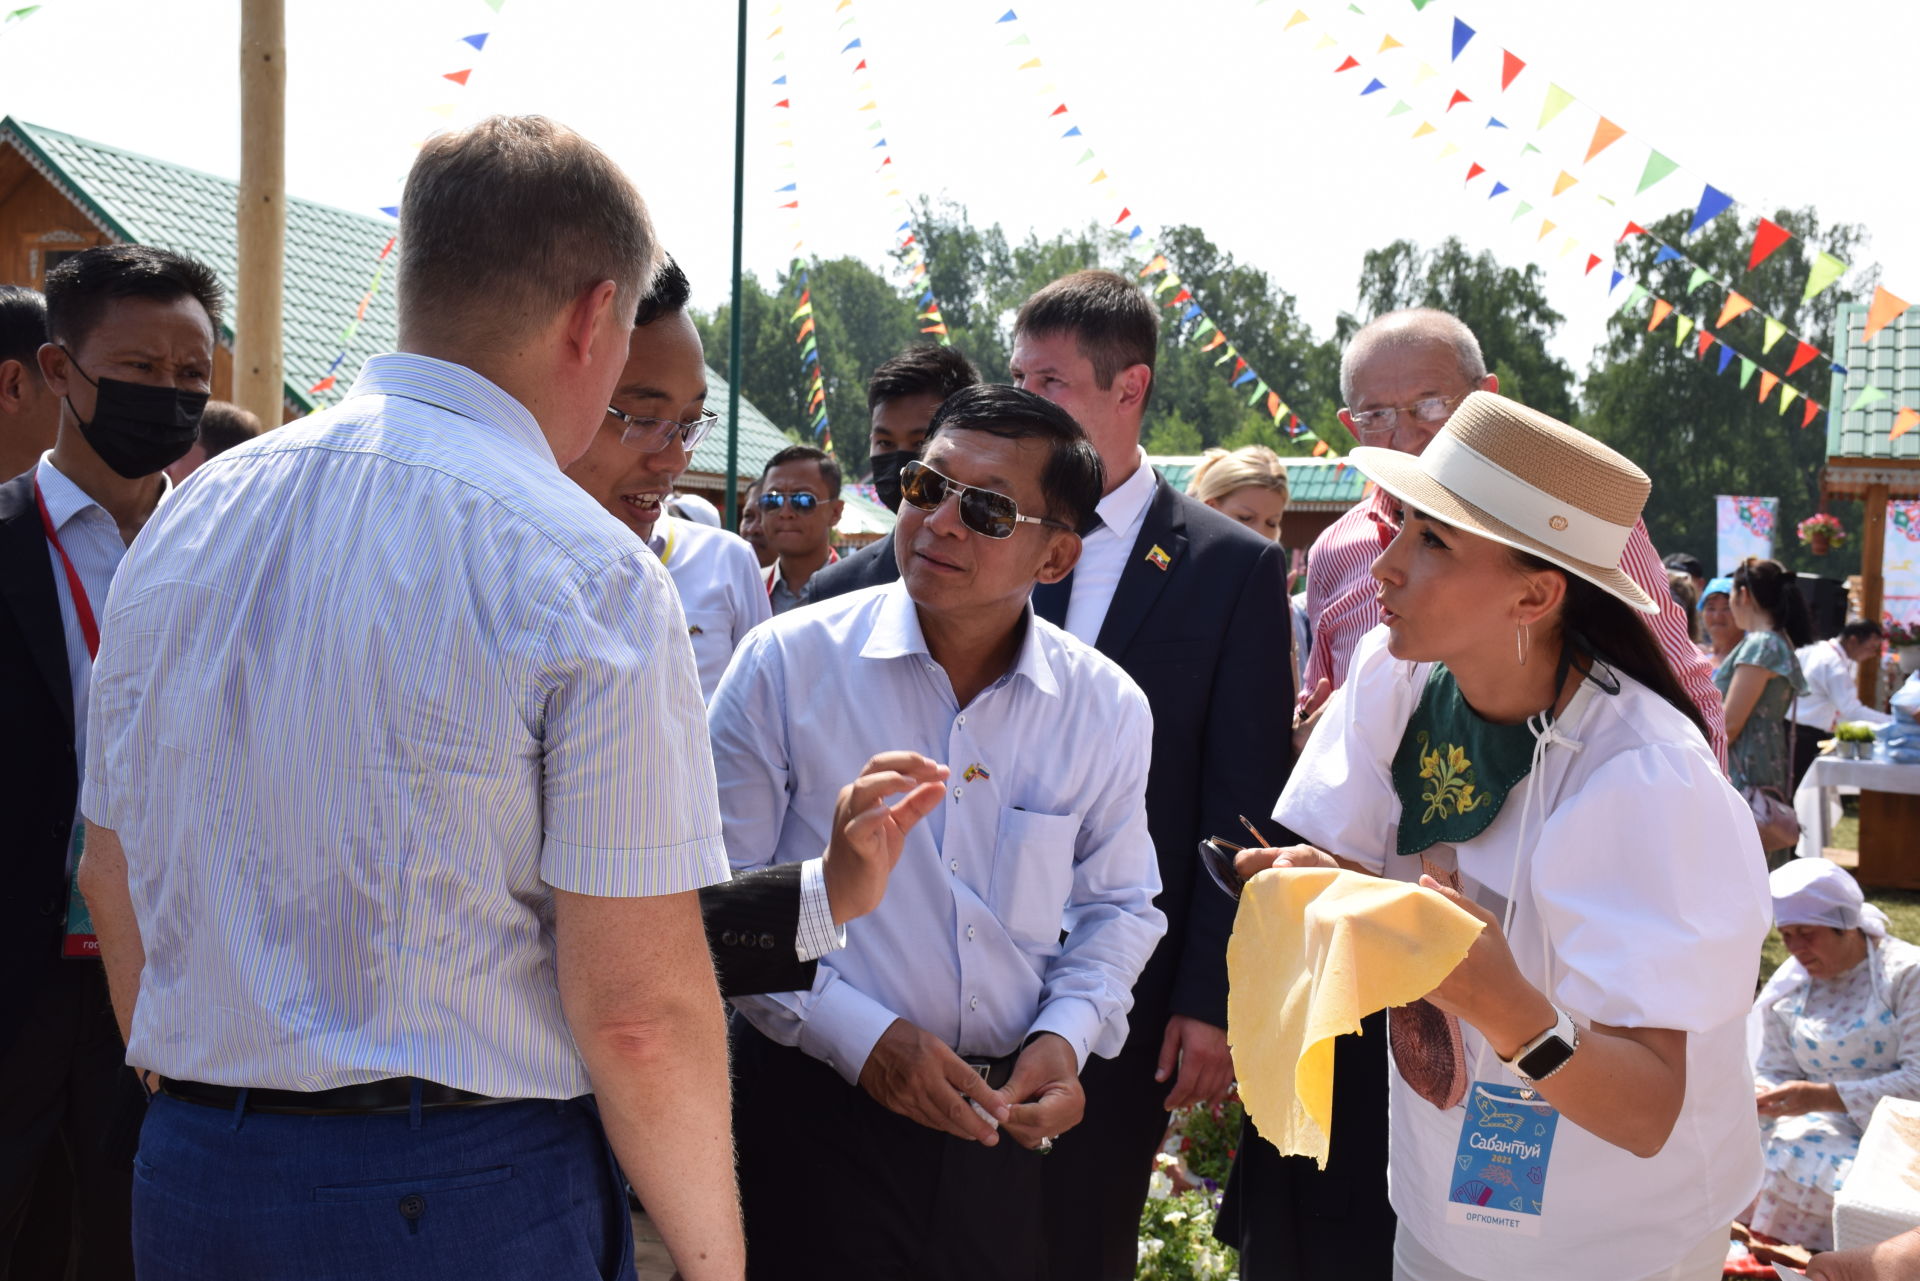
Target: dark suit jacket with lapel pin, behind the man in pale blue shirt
(1207, 639)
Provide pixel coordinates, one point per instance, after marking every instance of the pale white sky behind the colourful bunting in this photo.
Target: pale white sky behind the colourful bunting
(1203, 112)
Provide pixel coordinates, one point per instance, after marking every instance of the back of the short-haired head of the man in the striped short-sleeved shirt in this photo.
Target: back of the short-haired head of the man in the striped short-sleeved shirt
(506, 224)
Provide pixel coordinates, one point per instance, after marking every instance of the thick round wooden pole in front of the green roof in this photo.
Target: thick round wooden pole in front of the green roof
(260, 383)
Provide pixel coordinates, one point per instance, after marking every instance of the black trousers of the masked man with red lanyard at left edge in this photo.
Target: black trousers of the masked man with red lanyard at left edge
(70, 1123)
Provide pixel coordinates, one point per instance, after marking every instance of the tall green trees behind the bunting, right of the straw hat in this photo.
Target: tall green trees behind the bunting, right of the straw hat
(1700, 433)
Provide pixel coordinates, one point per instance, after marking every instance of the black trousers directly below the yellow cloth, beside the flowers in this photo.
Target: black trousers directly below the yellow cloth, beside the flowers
(1293, 1221)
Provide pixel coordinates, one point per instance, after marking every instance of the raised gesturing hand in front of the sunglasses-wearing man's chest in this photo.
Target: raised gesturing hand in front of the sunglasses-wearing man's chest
(869, 833)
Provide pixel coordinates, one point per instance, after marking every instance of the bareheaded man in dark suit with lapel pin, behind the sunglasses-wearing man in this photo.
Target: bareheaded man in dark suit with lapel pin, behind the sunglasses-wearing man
(1193, 606)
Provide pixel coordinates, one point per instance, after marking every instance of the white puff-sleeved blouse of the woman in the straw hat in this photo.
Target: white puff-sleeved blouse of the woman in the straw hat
(1641, 904)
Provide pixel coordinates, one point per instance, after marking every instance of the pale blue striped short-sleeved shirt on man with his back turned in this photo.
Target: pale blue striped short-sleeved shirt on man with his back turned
(372, 687)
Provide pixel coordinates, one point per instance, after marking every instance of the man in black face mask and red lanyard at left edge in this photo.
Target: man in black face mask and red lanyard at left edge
(132, 360)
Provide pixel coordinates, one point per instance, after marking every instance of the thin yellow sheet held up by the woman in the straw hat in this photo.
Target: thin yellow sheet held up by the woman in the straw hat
(1312, 954)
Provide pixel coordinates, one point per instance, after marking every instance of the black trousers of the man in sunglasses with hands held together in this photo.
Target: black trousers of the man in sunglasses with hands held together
(834, 1186)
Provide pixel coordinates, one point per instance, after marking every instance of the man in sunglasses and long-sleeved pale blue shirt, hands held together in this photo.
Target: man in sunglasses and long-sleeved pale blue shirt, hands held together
(938, 1057)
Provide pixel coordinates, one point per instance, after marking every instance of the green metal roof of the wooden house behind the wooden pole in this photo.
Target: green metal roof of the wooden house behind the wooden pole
(331, 260)
